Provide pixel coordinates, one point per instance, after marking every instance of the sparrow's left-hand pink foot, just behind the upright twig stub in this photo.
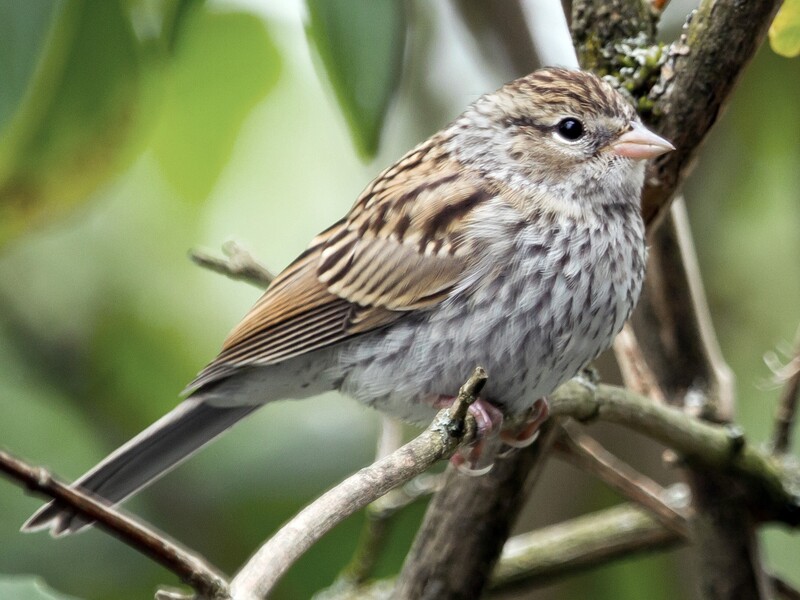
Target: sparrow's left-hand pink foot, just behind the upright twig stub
(477, 458)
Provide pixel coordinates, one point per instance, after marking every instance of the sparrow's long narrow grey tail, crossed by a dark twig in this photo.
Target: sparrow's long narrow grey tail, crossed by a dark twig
(142, 460)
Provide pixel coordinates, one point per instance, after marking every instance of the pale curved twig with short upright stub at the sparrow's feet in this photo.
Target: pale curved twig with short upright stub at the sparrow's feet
(449, 429)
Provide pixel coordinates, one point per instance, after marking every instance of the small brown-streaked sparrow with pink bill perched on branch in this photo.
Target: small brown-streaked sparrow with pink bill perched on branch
(512, 239)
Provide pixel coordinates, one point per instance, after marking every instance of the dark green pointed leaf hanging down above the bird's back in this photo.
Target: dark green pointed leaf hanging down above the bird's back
(361, 46)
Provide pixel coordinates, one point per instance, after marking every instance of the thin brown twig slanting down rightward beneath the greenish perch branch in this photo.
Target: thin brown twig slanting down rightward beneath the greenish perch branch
(587, 454)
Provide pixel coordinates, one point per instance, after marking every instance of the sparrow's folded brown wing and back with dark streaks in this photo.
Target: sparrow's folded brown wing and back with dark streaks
(400, 249)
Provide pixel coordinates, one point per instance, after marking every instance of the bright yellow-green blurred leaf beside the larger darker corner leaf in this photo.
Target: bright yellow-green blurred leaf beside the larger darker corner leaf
(224, 63)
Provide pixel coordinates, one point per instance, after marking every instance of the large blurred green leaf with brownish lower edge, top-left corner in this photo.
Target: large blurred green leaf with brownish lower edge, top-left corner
(83, 89)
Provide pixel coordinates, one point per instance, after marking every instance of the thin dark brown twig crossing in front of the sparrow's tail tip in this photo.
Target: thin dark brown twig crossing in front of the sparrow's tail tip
(191, 568)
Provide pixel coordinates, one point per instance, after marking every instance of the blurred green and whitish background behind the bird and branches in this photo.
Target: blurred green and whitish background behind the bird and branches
(132, 131)
